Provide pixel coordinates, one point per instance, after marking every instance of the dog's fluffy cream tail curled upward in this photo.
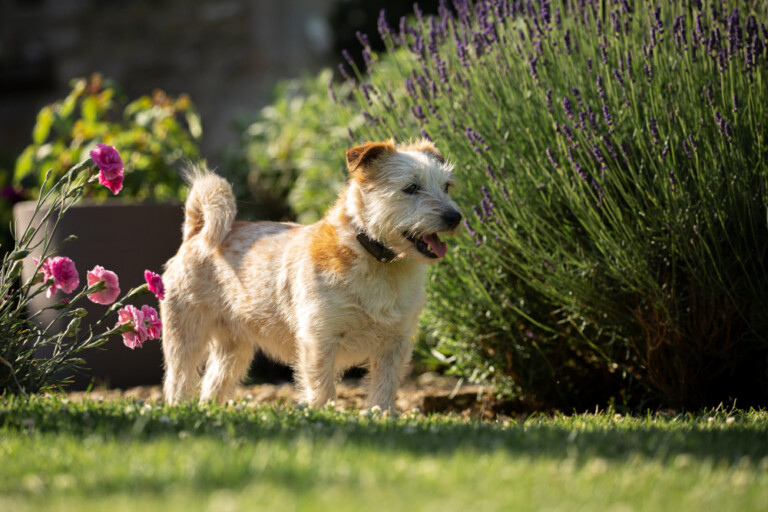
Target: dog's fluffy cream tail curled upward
(210, 207)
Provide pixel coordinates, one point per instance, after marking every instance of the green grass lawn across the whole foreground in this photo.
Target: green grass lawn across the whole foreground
(127, 455)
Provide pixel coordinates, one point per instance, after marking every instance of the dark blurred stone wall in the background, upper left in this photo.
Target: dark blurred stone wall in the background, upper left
(225, 54)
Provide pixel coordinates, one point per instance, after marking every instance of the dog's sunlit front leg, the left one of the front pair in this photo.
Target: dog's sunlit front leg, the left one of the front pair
(316, 375)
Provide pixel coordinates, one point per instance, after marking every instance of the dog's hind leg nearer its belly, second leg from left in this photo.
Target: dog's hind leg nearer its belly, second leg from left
(228, 363)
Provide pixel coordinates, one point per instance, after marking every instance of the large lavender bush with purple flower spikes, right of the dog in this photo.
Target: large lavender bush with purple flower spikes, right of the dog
(613, 163)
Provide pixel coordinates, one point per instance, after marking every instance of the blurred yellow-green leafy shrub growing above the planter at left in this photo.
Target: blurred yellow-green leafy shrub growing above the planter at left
(157, 131)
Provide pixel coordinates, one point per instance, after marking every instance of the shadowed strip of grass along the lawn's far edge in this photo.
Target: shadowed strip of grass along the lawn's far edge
(717, 437)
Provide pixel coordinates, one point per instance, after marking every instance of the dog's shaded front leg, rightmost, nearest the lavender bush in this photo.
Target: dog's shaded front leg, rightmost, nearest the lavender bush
(386, 369)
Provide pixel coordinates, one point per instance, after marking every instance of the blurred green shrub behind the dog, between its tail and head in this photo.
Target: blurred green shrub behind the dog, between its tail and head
(289, 161)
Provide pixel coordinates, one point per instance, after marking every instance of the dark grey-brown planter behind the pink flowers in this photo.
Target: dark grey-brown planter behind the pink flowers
(126, 238)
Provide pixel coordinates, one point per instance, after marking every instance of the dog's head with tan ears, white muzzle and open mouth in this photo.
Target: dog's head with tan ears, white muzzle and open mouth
(401, 196)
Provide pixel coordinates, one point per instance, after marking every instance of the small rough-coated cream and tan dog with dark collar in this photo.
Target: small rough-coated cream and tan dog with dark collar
(345, 291)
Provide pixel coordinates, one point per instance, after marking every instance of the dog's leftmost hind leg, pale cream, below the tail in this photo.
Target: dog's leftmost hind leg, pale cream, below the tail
(184, 351)
